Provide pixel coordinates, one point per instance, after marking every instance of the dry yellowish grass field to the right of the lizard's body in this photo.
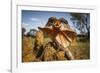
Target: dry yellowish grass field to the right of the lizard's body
(81, 50)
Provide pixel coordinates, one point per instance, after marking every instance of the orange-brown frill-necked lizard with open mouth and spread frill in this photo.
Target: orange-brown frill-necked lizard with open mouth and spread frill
(61, 33)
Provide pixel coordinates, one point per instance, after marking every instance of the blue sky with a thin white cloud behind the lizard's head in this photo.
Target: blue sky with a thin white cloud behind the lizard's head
(33, 19)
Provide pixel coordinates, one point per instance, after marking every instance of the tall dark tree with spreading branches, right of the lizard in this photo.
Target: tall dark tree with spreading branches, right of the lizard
(81, 22)
